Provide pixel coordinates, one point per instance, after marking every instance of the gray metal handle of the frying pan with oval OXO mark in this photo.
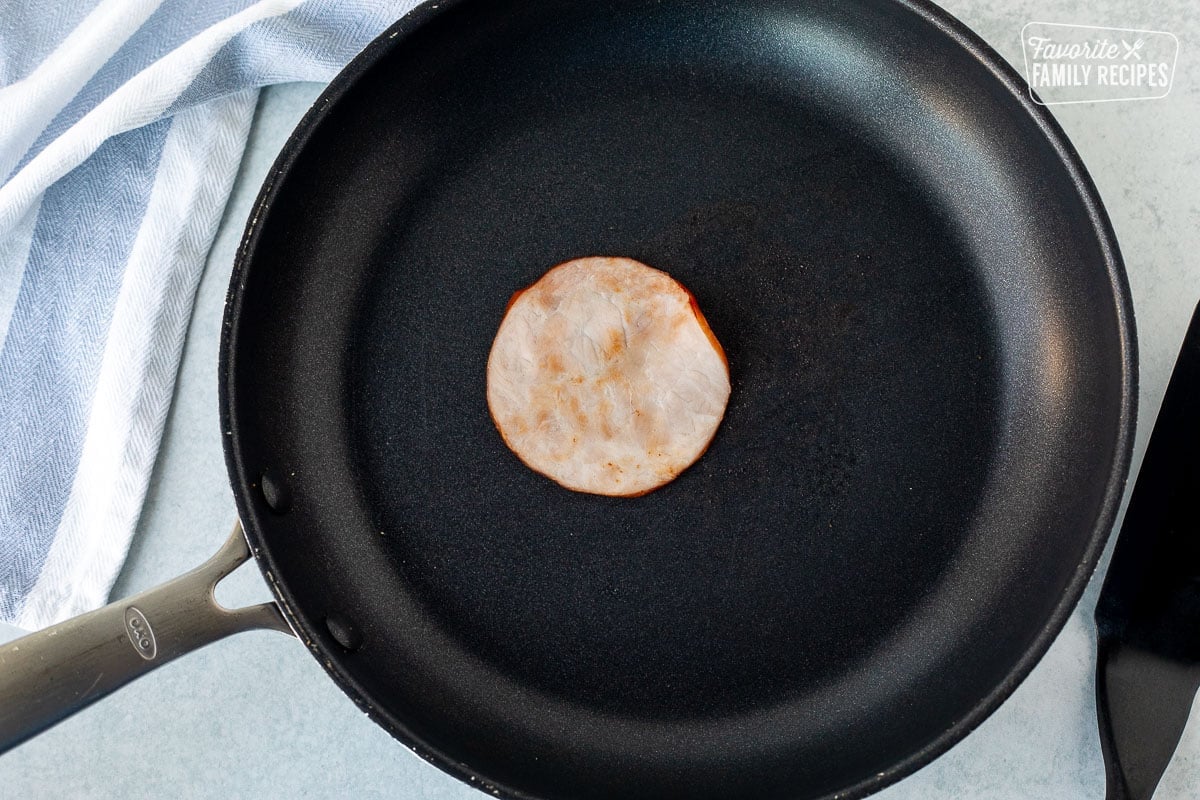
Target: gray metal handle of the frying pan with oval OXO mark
(49, 676)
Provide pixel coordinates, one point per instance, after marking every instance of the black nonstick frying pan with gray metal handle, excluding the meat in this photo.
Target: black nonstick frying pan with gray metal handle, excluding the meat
(934, 382)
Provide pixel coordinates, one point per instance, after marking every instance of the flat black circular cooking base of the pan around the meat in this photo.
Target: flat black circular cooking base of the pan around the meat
(854, 453)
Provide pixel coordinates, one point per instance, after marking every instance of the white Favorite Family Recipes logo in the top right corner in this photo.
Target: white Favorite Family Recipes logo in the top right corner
(1084, 64)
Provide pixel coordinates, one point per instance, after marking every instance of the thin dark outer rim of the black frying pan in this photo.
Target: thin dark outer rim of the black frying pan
(1011, 80)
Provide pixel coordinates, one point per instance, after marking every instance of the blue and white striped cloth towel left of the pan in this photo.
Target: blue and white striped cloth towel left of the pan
(122, 128)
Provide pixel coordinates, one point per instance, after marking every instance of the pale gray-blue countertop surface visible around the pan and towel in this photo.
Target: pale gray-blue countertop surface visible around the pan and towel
(255, 717)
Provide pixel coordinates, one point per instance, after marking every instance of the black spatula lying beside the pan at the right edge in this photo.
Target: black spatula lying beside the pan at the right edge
(1149, 615)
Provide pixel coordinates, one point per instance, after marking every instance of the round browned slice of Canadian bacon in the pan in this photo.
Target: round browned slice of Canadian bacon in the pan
(607, 378)
